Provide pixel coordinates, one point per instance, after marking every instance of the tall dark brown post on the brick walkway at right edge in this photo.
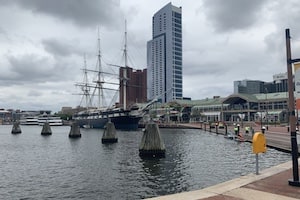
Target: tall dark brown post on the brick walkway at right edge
(291, 111)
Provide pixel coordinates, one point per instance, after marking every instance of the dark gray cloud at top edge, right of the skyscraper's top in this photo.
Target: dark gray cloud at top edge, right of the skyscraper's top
(231, 15)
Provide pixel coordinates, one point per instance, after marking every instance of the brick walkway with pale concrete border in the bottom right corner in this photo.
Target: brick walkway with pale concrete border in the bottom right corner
(270, 184)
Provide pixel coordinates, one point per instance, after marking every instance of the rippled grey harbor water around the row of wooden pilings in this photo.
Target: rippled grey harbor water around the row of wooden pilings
(57, 167)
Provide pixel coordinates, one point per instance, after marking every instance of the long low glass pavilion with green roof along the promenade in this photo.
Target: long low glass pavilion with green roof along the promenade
(268, 108)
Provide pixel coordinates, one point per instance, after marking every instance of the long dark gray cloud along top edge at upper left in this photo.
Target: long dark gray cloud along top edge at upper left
(82, 13)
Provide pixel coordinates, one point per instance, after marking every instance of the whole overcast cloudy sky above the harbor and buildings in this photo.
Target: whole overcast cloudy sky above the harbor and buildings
(44, 45)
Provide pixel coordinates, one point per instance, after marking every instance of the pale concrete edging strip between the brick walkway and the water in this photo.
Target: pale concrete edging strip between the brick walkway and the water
(227, 186)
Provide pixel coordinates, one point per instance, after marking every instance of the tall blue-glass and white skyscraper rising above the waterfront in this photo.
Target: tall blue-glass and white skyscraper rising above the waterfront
(164, 55)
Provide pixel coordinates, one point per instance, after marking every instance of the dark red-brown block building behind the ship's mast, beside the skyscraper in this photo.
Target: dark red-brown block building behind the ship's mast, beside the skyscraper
(136, 86)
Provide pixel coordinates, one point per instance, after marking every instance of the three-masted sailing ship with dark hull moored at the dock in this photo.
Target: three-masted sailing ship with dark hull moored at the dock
(124, 118)
